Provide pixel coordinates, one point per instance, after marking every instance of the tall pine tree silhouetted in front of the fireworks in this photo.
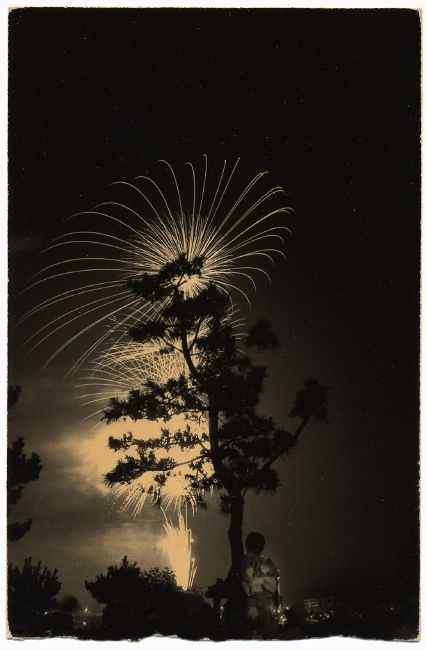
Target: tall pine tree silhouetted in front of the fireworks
(222, 384)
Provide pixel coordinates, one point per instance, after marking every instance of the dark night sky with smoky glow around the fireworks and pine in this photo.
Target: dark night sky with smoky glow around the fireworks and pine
(328, 101)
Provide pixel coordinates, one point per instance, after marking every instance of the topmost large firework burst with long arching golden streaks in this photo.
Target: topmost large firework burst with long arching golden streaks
(79, 293)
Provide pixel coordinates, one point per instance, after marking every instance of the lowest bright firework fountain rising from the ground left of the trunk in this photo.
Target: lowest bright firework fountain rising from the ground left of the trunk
(177, 546)
